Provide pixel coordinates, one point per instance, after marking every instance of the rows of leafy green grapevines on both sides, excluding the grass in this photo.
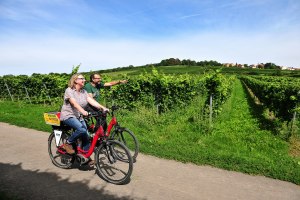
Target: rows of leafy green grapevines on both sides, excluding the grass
(163, 91)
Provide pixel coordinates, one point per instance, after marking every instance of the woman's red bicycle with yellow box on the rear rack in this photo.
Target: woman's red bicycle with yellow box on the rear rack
(113, 160)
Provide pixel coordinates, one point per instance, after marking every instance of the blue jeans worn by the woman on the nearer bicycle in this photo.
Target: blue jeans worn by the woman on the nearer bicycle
(80, 132)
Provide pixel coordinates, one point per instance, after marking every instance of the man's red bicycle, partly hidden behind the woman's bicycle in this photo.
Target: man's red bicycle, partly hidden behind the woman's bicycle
(114, 130)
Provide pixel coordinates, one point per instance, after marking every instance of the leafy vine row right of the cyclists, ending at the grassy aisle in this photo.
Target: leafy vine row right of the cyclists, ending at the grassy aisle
(169, 91)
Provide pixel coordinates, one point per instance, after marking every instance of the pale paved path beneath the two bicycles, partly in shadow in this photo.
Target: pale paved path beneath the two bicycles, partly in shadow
(27, 172)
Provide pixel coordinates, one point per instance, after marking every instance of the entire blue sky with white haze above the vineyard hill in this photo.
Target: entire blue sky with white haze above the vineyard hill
(43, 36)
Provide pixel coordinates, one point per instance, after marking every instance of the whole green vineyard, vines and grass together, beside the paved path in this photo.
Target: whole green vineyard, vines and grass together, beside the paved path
(171, 115)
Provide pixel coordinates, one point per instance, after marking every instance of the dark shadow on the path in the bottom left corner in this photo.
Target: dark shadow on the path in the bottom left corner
(35, 185)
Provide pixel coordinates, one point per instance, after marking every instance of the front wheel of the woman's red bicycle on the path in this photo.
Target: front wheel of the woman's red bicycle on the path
(114, 162)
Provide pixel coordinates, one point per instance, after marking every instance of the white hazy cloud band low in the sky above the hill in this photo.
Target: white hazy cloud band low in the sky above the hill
(59, 54)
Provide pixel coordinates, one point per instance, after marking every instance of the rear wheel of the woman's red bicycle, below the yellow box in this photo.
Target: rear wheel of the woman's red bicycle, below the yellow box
(64, 161)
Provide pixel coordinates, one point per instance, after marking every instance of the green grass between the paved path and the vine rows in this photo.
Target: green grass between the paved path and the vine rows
(236, 141)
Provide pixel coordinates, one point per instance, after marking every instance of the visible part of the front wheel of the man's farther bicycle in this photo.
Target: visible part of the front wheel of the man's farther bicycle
(127, 137)
